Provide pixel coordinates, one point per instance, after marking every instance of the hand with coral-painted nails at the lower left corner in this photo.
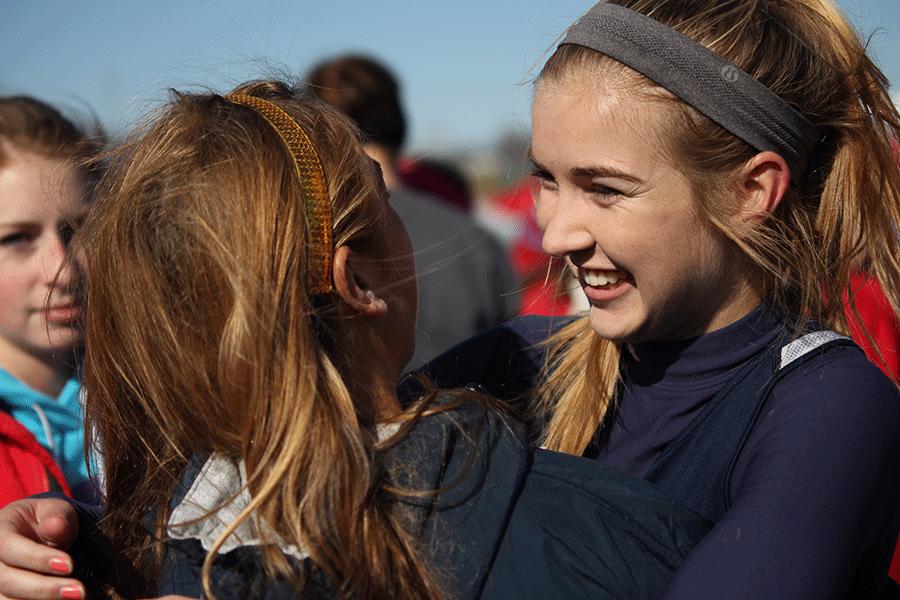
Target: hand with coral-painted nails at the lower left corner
(34, 533)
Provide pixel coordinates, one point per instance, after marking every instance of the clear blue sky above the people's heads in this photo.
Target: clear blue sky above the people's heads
(462, 63)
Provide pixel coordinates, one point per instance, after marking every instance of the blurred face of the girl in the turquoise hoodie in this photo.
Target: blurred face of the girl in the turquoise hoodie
(39, 199)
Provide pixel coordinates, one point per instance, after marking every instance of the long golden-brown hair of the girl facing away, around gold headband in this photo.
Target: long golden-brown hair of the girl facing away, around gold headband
(203, 338)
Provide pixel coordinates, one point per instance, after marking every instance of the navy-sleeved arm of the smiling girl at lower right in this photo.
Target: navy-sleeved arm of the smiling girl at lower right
(815, 493)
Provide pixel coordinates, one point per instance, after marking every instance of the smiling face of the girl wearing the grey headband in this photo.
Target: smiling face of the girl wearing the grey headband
(624, 218)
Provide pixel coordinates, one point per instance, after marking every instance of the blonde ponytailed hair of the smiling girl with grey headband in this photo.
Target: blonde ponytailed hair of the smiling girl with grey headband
(845, 214)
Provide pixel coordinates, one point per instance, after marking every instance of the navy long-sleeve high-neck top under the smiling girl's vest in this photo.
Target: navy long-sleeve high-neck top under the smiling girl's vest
(815, 489)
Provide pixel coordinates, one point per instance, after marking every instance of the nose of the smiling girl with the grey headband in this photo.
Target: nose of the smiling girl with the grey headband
(562, 218)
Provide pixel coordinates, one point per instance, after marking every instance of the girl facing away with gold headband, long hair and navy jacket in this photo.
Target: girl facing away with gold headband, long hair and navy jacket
(241, 369)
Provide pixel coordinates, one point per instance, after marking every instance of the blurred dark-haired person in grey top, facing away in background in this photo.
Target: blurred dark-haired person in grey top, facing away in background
(465, 282)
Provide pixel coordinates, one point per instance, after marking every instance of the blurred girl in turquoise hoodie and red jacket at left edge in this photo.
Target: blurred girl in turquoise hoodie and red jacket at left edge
(42, 194)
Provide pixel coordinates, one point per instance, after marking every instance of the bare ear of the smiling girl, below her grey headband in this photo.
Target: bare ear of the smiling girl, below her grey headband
(765, 179)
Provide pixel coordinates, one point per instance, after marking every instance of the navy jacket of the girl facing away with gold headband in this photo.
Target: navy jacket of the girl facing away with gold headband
(508, 522)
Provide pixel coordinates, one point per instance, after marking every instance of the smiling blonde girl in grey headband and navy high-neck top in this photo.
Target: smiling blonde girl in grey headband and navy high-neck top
(708, 169)
